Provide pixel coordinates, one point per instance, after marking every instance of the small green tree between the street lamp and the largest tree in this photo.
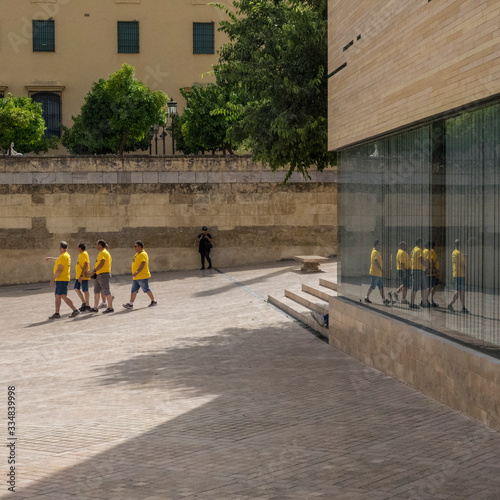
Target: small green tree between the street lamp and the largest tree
(201, 127)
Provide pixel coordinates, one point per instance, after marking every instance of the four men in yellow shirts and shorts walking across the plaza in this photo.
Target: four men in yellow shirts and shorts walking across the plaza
(101, 273)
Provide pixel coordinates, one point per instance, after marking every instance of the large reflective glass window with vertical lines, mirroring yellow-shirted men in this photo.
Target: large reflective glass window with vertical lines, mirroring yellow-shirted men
(434, 193)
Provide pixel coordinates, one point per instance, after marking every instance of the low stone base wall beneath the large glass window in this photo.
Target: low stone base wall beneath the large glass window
(458, 376)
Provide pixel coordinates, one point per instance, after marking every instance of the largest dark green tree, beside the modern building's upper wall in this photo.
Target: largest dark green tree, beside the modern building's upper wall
(277, 53)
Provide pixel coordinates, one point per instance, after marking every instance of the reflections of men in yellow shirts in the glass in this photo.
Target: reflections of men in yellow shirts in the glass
(418, 272)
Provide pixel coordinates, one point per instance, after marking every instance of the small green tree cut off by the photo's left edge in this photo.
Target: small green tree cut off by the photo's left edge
(21, 122)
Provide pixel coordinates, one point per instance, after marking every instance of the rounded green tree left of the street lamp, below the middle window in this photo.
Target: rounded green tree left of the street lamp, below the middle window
(116, 116)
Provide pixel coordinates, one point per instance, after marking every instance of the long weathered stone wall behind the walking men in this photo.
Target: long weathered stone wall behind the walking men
(163, 201)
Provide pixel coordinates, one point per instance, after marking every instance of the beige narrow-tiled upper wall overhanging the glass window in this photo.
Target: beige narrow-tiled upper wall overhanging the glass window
(407, 60)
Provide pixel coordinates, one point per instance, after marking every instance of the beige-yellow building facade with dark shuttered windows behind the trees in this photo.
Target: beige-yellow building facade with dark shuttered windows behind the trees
(53, 50)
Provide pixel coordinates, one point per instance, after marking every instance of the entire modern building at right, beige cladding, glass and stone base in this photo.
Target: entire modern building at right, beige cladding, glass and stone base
(414, 114)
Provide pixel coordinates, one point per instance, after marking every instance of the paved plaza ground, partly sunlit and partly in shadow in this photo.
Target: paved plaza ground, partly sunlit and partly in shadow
(215, 394)
